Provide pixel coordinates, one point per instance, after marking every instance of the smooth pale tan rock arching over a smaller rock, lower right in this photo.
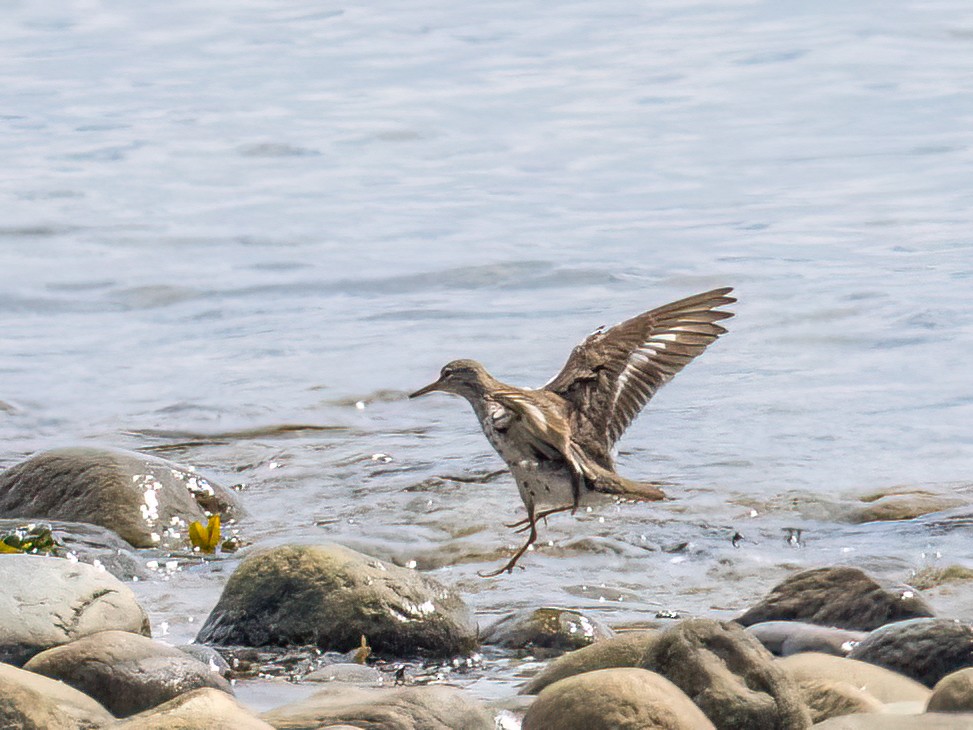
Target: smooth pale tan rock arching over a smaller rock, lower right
(884, 685)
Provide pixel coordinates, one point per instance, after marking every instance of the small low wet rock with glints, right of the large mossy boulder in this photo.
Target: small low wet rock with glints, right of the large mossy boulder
(552, 629)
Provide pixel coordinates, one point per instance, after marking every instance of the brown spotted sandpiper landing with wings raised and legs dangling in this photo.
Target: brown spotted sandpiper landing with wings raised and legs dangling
(558, 440)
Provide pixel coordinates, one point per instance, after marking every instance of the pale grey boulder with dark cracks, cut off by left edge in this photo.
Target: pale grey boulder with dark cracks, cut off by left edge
(51, 601)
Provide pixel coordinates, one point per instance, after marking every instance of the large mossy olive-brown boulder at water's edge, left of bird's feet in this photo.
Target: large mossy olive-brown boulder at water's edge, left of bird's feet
(330, 596)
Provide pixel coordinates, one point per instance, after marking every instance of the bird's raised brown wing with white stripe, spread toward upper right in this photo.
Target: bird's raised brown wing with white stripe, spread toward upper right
(610, 376)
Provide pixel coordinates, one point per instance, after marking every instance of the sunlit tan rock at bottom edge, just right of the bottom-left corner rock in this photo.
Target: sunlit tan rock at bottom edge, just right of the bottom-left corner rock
(201, 709)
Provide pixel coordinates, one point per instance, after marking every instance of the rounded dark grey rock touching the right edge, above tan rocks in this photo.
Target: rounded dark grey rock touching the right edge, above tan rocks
(925, 649)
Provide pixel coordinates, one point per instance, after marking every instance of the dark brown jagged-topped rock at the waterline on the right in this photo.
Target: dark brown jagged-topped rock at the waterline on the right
(842, 597)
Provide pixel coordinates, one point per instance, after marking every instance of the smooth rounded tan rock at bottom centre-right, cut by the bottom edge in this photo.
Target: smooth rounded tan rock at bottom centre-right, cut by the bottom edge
(621, 699)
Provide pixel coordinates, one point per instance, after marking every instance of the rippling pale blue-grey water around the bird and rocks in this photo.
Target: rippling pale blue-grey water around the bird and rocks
(226, 223)
